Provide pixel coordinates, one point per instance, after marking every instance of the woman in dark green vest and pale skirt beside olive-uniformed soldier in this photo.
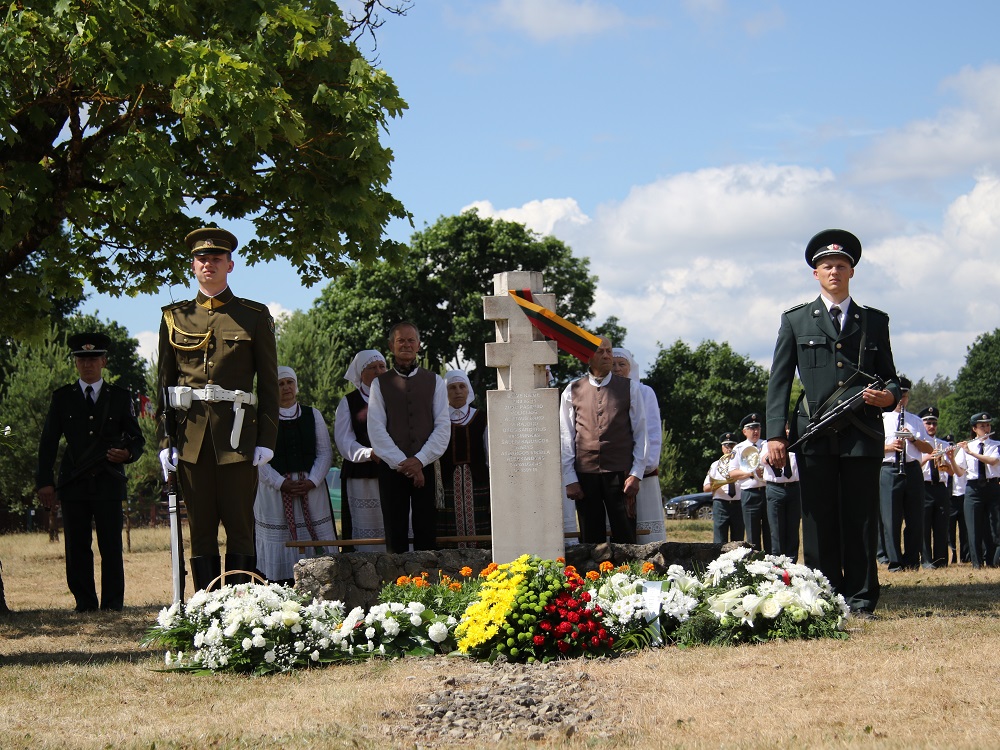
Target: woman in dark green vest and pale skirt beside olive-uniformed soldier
(293, 501)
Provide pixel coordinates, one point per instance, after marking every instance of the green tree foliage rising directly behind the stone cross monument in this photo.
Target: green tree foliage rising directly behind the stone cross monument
(439, 286)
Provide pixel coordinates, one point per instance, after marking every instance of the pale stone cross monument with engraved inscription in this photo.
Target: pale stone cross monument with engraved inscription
(525, 465)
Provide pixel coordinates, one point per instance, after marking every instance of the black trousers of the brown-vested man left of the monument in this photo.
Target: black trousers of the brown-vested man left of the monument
(400, 500)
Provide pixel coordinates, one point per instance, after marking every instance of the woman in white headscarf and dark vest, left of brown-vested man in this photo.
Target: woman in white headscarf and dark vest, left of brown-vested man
(359, 480)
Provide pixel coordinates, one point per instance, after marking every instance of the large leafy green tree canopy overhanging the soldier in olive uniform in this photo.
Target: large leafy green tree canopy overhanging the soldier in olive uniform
(122, 122)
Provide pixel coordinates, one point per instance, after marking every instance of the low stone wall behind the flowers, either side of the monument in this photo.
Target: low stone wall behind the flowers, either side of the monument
(356, 578)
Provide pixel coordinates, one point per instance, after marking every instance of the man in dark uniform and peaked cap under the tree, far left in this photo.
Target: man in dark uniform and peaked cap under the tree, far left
(102, 433)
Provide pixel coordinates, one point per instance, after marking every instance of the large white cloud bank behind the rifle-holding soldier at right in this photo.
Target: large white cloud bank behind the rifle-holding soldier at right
(718, 254)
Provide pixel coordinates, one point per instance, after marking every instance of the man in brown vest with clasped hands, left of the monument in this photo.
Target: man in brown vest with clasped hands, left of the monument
(409, 428)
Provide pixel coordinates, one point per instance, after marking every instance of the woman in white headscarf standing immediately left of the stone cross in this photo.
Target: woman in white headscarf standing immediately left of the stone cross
(464, 467)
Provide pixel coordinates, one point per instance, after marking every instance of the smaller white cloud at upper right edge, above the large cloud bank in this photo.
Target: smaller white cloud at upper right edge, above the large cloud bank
(957, 140)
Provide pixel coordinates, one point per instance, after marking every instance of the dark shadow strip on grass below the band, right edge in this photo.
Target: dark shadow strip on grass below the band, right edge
(926, 600)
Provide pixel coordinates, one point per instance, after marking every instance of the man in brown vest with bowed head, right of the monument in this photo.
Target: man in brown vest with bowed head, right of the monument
(603, 434)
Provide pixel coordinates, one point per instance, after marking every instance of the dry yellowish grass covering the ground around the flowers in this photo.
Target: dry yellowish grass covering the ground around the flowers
(923, 675)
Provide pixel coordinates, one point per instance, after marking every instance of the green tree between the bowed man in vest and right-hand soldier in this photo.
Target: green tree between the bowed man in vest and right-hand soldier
(702, 393)
